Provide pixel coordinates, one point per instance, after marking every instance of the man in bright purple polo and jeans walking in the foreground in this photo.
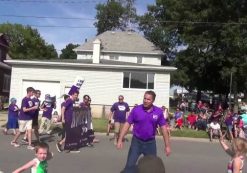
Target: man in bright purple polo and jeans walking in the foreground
(145, 119)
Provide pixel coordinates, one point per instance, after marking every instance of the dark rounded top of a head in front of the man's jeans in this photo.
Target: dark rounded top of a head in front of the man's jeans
(150, 163)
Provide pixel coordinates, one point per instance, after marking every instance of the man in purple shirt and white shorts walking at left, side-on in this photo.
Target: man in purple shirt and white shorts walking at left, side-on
(25, 119)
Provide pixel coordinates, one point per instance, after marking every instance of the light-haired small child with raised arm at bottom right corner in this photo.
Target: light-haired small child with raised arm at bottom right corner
(237, 153)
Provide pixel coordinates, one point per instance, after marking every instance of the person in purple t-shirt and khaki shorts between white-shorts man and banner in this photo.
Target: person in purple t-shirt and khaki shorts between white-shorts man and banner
(47, 107)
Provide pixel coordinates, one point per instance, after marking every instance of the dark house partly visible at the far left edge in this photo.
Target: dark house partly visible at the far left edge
(5, 70)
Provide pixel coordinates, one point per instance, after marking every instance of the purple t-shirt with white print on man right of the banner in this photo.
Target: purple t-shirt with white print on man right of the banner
(120, 110)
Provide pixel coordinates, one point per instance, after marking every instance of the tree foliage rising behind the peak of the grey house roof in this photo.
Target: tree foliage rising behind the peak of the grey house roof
(115, 15)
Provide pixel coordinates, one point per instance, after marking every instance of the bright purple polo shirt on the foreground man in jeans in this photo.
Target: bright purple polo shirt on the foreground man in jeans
(145, 123)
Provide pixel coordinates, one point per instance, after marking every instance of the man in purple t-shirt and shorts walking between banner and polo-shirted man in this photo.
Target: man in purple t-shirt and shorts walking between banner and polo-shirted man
(119, 112)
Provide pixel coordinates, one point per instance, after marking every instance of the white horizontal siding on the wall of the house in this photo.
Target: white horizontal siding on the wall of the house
(103, 86)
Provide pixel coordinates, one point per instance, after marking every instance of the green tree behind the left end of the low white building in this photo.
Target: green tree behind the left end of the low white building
(26, 43)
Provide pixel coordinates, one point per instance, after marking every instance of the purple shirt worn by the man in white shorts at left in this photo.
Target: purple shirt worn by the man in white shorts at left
(27, 103)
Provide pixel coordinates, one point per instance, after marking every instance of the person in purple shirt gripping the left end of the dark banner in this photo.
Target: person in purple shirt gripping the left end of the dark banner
(66, 113)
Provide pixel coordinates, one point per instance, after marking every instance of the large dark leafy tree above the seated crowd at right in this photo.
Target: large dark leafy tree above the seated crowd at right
(214, 35)
